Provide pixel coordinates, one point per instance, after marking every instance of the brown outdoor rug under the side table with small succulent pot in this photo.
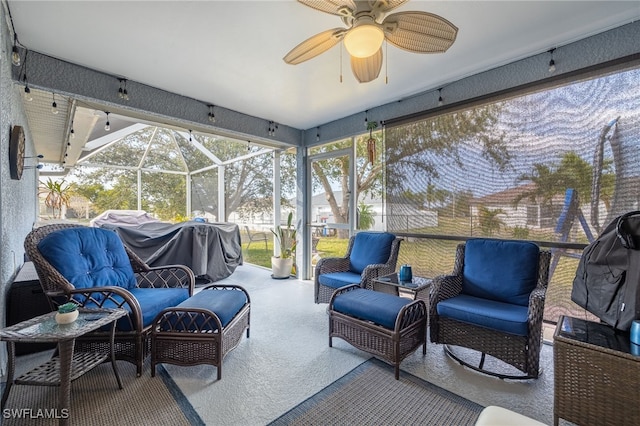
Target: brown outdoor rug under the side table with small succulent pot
(97, 401)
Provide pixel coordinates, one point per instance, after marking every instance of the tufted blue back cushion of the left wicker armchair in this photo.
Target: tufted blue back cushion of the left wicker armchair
(88, 257)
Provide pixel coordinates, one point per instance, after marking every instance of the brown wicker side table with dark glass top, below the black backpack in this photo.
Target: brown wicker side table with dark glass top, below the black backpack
(596, 377)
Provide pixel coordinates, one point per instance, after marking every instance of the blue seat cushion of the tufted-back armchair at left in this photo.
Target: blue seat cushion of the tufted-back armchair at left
(151, 300)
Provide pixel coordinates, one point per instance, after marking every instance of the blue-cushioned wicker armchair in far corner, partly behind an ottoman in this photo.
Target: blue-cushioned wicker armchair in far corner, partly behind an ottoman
(369, 255)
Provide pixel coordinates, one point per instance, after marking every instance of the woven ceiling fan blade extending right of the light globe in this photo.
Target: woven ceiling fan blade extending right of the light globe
(419, 32)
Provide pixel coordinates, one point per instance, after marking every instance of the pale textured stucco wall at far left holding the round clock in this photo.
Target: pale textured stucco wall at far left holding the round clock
(17, 197)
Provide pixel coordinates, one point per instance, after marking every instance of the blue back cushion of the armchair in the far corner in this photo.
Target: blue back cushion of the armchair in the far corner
(370, 248)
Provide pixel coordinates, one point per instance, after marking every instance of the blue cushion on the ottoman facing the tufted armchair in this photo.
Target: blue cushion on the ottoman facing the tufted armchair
(224, 303)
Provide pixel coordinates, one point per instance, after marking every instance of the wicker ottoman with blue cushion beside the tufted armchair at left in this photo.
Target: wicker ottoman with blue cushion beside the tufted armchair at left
(202, 329)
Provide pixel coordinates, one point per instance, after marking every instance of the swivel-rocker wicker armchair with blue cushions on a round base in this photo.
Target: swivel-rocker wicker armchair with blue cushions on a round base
(498, 319)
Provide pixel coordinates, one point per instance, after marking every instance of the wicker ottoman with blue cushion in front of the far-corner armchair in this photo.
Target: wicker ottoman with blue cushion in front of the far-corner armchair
(382, 324)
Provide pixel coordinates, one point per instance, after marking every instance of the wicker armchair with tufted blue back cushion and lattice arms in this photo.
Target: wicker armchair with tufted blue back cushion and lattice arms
(92, 267)
